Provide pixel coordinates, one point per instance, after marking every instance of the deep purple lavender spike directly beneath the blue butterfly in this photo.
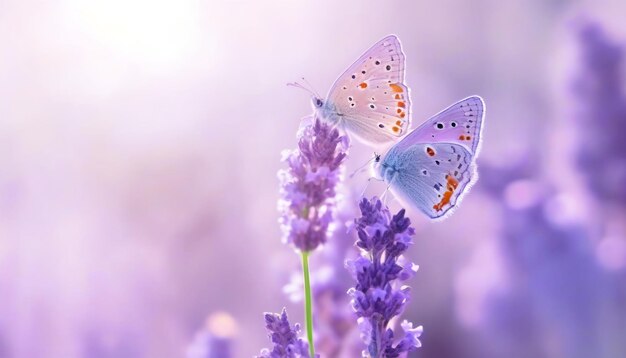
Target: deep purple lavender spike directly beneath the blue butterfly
(377, 297)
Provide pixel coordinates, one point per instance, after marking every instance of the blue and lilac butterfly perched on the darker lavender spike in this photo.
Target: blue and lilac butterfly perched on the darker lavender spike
(432, 167)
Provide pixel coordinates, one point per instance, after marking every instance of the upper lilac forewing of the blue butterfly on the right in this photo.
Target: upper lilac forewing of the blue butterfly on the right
(461, 123)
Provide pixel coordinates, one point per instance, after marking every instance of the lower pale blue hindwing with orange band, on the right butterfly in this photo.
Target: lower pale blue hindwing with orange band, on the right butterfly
(432, 177)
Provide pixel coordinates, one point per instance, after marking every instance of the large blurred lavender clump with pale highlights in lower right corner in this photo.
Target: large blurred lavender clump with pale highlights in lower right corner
(531, 303)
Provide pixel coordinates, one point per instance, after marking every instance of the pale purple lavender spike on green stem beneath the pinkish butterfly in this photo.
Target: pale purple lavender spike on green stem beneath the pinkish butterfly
(308, 186)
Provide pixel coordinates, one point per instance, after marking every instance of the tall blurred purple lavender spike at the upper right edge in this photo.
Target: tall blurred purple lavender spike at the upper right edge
(601, 114)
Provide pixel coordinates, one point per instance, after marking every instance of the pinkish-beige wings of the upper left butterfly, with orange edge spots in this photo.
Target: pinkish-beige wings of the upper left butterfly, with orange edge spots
(370, 97)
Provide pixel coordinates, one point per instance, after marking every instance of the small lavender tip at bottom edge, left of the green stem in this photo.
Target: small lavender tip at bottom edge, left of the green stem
(285, 338)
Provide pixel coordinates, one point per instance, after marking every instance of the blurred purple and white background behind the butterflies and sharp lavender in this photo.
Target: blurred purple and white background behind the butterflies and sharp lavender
(140, 140)
